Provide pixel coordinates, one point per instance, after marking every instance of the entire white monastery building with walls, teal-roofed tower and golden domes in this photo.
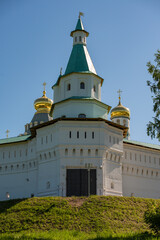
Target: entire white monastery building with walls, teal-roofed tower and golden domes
(72, 148)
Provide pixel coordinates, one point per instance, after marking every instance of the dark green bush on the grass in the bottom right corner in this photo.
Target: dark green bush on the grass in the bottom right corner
(152, 217)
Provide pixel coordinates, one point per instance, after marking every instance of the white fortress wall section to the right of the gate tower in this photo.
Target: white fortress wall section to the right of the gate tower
(141, 172)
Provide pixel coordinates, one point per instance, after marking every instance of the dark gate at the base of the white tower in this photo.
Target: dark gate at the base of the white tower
(77, 182)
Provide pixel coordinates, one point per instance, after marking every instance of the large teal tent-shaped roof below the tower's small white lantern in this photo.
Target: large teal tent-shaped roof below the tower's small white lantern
(80, 60)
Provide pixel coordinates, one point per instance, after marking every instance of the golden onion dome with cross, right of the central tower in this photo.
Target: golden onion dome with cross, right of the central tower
(120, 111)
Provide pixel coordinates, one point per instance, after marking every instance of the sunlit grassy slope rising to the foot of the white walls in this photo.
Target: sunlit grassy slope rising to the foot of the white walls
(120, 215)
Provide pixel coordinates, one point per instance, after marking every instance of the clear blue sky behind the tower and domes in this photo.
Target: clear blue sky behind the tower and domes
(35, 43)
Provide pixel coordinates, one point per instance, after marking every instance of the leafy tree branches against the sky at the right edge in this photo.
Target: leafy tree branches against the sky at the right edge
(153, 128)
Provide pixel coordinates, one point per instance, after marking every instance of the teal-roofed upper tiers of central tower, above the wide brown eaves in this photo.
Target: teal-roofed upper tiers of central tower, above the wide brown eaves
(77, 93)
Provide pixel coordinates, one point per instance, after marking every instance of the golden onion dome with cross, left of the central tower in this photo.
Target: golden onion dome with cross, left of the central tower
(43, 104)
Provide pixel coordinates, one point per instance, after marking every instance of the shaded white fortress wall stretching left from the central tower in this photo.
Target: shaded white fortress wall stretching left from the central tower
(18, 167)
